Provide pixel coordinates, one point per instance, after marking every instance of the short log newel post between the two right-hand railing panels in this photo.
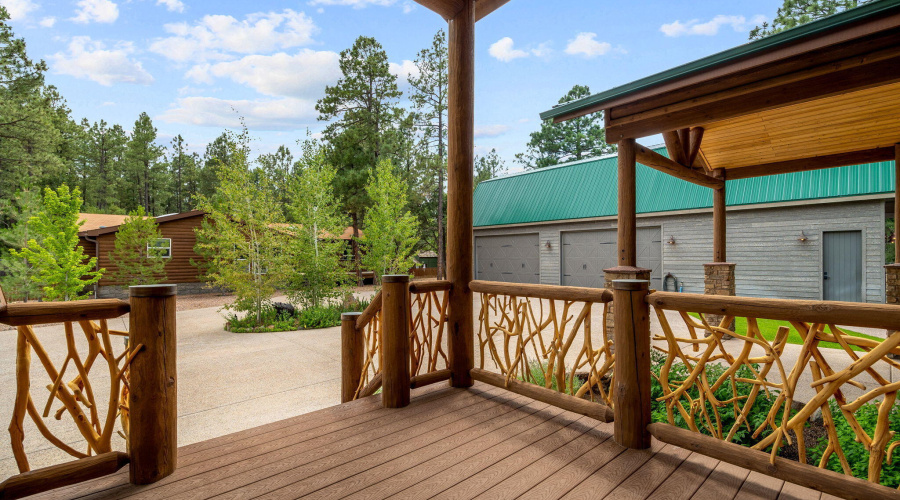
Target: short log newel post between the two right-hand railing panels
(631, 393)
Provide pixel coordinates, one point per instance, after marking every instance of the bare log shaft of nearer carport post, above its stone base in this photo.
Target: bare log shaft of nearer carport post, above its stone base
(626, 234)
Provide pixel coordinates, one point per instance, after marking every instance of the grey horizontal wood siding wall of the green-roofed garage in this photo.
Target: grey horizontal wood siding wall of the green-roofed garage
(763, 243)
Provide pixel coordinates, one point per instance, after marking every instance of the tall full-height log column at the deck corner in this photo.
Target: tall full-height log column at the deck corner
(460, 162)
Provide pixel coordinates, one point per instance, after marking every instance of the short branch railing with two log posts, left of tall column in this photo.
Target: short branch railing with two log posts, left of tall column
(370, 343)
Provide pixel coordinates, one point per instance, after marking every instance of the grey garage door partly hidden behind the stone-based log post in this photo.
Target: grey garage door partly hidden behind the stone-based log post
(585, 254)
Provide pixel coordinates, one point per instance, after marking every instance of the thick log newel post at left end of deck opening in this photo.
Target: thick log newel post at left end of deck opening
(153, 396)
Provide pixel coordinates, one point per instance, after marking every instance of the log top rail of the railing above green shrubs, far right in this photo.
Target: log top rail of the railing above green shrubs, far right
(809, 311)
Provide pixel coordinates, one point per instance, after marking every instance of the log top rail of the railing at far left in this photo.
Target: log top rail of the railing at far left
(41, 313)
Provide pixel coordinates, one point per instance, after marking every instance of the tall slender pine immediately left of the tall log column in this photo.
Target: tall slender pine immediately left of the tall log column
(429, 96)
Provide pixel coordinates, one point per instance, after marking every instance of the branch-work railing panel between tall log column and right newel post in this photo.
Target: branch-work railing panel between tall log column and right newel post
(547, 342)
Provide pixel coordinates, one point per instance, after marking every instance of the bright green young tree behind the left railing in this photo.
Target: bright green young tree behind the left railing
(61, 267)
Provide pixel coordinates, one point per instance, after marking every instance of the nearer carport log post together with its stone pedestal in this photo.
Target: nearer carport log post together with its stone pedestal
(626, 235)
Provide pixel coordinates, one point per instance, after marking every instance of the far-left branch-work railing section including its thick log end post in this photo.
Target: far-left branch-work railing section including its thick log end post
(138, 385)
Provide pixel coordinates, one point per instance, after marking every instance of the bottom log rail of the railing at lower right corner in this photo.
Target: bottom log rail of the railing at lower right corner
(806, 475)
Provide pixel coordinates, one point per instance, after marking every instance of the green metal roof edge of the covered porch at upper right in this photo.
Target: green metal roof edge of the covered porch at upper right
(872, 9)
